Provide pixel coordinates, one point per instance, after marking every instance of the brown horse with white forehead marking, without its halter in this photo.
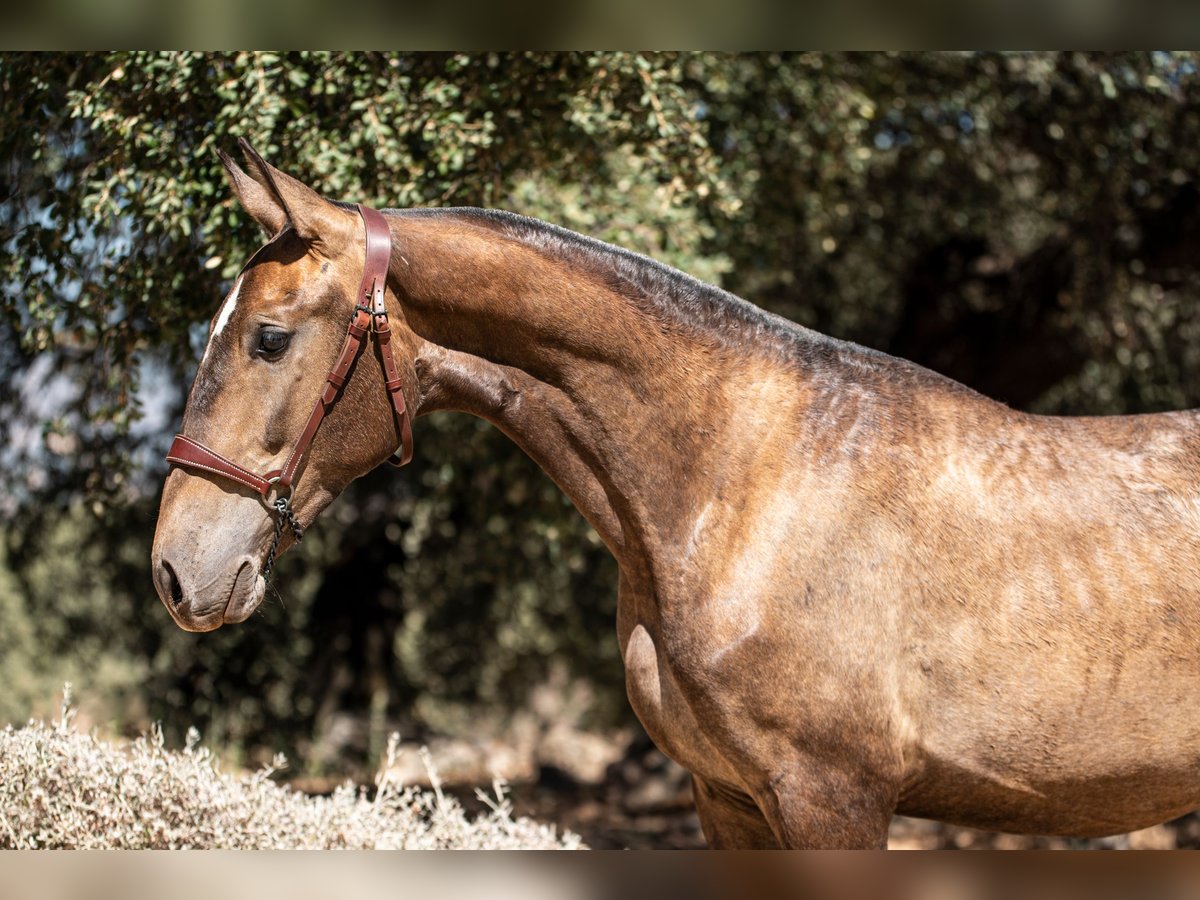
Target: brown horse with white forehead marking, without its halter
(849, 586)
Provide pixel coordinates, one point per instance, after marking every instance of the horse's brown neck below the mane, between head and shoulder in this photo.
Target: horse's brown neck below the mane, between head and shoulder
(616, 406)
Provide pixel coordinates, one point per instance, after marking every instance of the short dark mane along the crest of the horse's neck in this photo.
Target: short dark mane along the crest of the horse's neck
(676, 297)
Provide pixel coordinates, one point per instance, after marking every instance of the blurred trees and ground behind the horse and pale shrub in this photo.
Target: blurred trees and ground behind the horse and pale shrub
(1027, 224)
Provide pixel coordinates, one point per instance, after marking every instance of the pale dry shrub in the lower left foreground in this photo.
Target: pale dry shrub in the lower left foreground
(64, 789)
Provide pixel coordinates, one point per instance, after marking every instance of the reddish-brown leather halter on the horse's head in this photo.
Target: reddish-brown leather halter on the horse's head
(370, 315)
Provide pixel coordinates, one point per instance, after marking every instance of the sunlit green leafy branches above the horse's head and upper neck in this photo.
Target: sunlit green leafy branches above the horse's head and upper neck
(118, 227)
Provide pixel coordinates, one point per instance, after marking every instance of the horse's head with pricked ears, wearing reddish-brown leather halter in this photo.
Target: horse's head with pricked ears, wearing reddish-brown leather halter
(251, 409)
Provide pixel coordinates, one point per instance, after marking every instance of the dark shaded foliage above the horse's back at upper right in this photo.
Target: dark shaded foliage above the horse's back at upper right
(1023, 223)
